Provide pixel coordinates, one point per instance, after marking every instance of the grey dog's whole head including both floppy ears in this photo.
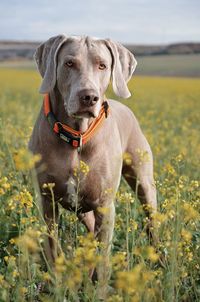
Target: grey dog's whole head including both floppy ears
(81, 68)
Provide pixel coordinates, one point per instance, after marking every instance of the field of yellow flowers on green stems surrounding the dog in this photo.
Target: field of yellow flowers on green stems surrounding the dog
(168, 112)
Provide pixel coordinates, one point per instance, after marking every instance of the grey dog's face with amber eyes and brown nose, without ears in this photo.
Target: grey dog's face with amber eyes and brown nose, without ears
(83, 75)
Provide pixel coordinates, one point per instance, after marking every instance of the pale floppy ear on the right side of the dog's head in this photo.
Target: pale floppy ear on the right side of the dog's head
(123, 66)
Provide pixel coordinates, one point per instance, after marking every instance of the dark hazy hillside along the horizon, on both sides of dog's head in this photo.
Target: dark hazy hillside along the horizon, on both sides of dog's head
(12, 50)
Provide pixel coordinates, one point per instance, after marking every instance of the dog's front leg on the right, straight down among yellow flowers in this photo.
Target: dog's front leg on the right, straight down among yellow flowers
(104, 226)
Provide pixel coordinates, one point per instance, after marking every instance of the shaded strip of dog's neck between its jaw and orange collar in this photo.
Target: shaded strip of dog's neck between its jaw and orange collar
(57, 105)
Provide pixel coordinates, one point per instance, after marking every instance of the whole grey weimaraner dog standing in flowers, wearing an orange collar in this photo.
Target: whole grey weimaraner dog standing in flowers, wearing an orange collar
(76, 72)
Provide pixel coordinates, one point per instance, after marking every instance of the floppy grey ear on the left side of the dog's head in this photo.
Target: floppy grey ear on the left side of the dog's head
(46, 59)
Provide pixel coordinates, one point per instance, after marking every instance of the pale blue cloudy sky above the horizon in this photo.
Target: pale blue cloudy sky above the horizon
(126, 21)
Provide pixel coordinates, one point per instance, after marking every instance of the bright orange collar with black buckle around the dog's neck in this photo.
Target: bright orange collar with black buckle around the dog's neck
(71, 136)
